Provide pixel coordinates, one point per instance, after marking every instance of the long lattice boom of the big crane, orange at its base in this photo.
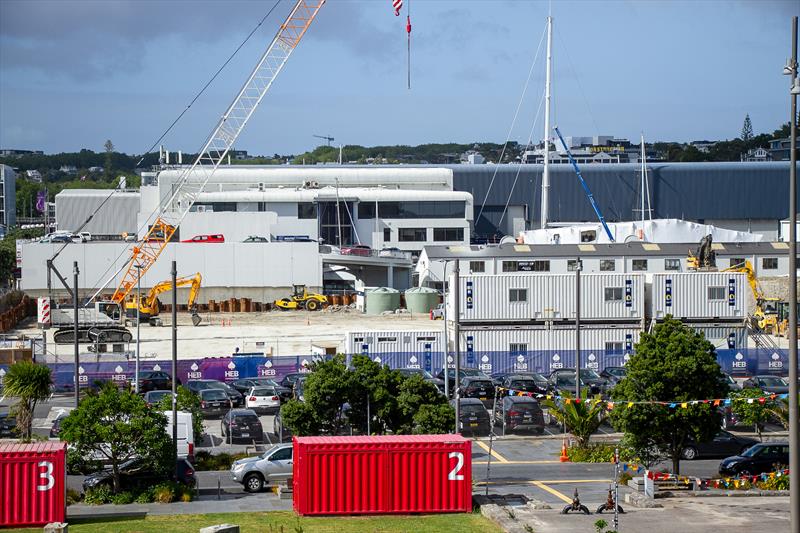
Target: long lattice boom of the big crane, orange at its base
(194, 178)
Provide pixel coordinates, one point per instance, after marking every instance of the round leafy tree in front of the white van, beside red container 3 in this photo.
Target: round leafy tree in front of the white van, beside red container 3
(117, 425)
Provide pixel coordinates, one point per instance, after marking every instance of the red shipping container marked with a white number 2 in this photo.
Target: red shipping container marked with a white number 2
(378, 475)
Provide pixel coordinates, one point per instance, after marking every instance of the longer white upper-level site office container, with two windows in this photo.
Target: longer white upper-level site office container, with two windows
(550, 297)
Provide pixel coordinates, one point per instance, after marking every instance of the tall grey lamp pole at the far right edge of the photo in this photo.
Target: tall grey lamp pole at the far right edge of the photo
(794, 430)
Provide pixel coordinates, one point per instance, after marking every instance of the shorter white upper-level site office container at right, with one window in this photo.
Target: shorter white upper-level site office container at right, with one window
(700, 296)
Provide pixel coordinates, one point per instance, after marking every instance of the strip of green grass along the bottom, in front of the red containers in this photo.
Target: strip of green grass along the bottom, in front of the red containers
(289, 522)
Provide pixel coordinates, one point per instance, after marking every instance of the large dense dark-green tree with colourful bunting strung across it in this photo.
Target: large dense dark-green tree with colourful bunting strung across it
(675, 365)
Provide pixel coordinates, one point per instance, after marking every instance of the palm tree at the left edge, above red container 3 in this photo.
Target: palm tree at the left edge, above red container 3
(29, 383)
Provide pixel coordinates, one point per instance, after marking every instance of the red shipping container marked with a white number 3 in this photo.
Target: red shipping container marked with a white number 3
(33, 483)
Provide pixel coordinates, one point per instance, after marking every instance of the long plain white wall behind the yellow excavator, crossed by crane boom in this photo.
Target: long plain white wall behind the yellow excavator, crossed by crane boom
(262, 271)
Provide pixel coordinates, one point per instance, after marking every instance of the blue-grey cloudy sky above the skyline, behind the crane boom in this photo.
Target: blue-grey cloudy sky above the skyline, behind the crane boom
(74, 73)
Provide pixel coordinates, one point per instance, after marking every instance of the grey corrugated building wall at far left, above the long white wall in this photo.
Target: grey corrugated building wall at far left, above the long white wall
(118, 215)
